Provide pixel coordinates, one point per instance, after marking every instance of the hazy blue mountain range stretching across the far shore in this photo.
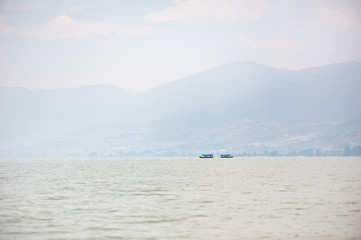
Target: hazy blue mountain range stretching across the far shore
(238, 107)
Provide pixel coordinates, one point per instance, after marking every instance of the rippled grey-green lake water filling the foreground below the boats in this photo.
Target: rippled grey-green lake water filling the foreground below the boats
(240, 198)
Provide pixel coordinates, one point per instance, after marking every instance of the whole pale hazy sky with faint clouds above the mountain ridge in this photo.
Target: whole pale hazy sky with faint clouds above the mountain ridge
(139, 44)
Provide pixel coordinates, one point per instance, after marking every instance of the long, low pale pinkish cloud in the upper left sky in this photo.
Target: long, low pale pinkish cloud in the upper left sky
(65, 27)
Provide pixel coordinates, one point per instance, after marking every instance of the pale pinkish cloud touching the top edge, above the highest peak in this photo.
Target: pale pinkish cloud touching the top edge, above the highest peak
(245, 10)
